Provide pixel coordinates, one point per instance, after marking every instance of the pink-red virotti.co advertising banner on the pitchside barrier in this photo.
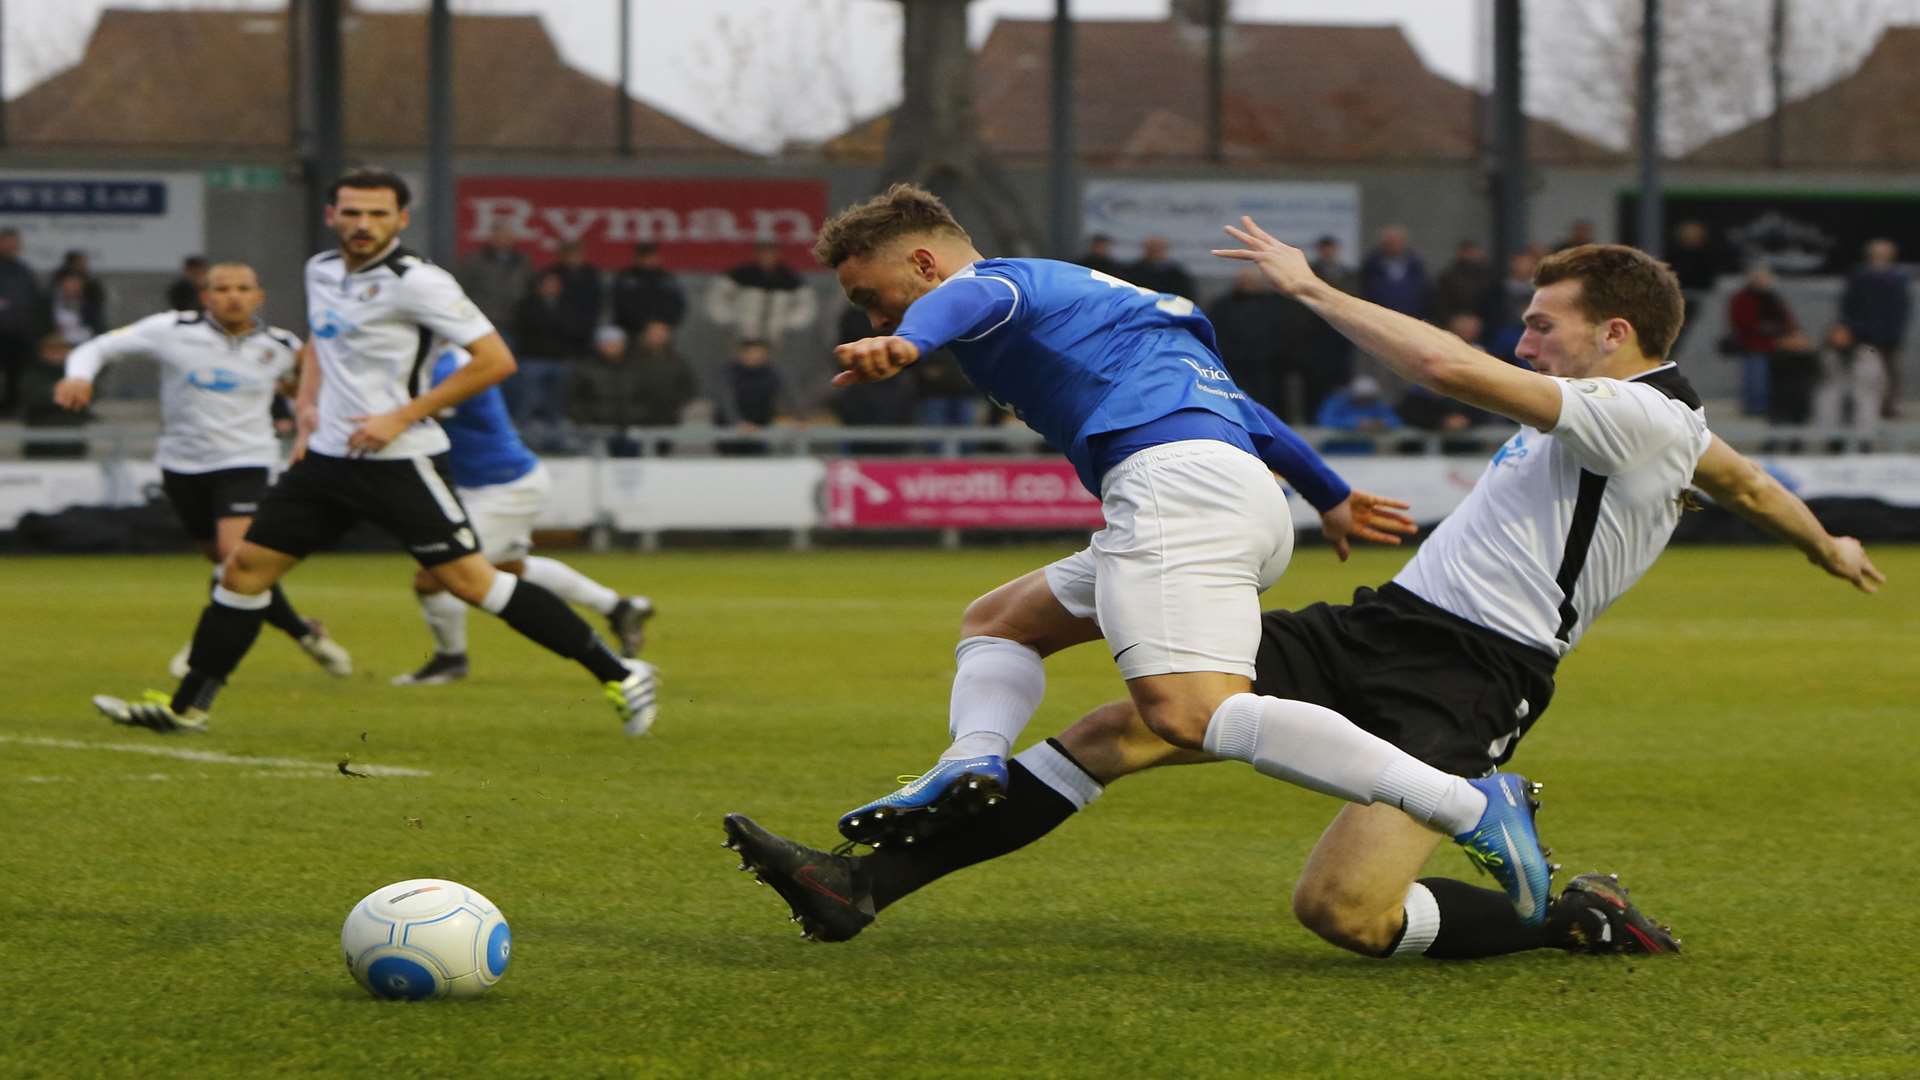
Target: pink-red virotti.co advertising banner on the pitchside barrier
(959, 495)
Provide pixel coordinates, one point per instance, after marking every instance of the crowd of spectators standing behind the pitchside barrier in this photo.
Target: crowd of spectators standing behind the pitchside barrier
(606, 349)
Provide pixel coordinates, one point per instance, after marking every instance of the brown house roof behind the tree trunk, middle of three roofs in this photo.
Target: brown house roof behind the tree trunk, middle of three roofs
(1293, 93)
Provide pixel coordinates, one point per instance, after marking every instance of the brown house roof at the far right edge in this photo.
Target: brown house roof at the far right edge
(1865, 120)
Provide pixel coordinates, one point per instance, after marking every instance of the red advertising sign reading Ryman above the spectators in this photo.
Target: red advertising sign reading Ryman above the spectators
(700, 224)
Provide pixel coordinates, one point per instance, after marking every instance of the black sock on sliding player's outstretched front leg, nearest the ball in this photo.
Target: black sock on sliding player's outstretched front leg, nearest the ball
(1032, 810)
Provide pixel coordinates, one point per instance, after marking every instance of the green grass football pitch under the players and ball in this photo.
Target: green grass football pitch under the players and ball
(1739, 739)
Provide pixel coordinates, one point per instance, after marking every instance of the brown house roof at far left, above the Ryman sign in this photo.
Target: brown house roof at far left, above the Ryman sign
(220, 80)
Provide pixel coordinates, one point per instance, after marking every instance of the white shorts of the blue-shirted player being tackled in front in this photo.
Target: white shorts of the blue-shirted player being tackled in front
(1195, 533)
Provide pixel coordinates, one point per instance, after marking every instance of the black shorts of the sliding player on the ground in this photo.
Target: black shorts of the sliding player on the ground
(1454, 695)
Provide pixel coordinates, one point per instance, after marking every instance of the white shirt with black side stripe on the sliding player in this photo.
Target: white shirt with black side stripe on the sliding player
(1562, 524)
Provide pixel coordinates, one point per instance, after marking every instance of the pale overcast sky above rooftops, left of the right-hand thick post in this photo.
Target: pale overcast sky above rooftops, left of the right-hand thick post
(684, 49)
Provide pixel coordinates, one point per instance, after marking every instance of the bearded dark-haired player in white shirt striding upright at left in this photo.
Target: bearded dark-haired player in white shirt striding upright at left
(370, 451)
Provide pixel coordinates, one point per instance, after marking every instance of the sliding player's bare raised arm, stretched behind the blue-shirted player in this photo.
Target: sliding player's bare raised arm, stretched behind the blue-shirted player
(1416, 351)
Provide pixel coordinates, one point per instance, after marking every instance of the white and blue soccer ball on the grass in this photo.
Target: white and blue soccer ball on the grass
(425, 939)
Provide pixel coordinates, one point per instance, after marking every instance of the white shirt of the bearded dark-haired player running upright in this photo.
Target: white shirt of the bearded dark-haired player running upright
(373, 333)
